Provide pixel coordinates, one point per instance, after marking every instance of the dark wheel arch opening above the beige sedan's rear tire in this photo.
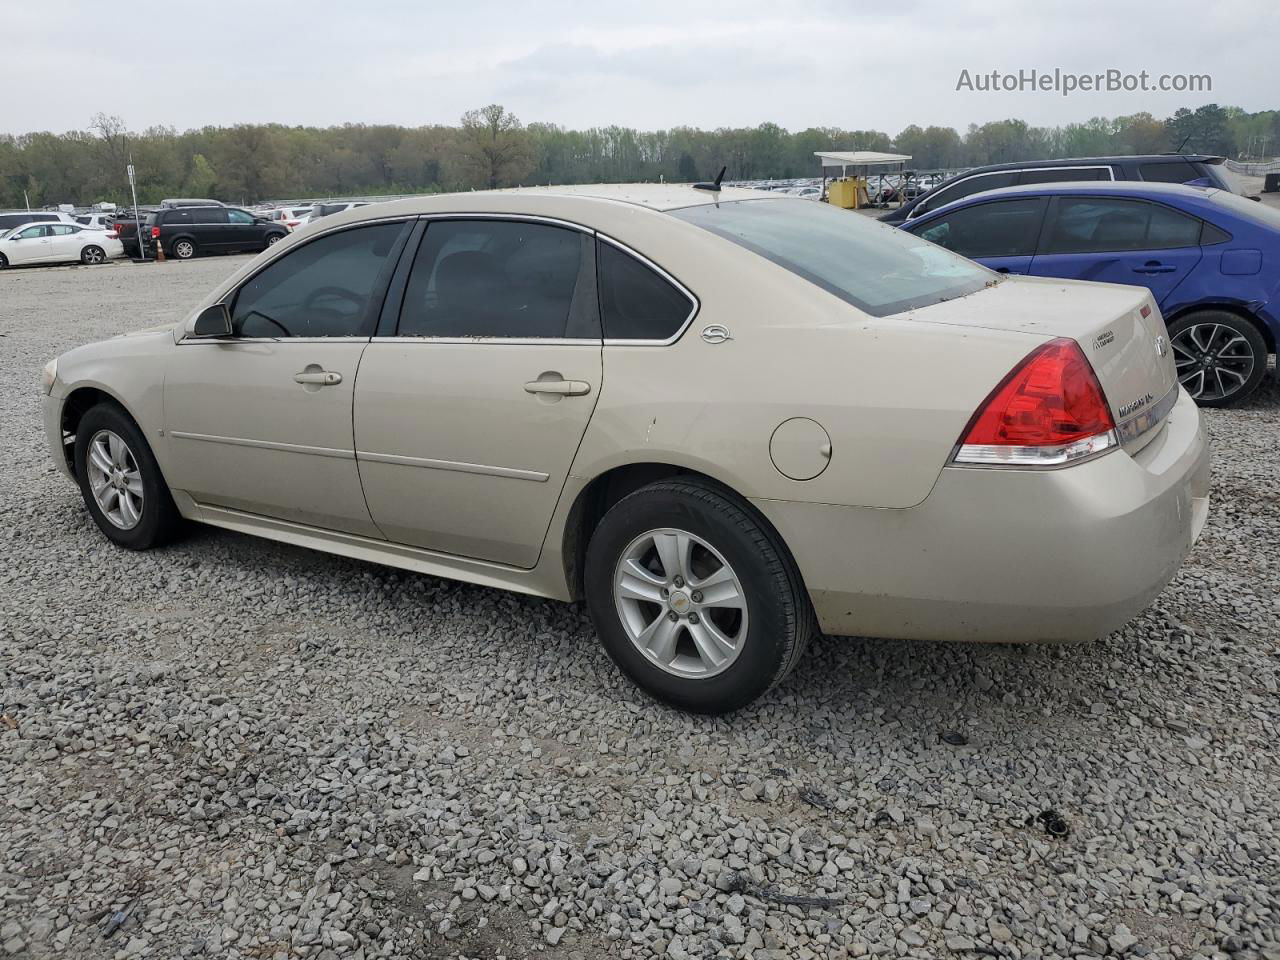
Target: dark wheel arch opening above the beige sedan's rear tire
(610, 487)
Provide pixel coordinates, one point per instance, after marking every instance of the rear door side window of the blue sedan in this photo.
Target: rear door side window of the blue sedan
(1100, 225)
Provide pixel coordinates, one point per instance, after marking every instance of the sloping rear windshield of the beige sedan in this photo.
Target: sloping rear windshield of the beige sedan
(879, 269)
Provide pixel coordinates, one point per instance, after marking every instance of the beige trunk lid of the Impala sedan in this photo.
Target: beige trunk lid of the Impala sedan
(1119, 330)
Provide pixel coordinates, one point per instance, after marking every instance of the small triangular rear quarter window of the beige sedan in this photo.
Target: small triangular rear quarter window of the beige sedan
(637, 303)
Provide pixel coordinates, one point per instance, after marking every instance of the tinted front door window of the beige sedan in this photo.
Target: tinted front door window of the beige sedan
(323, 289)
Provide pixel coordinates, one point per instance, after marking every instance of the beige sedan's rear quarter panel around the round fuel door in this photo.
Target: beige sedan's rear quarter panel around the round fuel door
(894, 395)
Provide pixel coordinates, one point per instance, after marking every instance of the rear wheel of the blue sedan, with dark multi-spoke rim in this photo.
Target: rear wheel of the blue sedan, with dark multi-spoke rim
(1220, 356)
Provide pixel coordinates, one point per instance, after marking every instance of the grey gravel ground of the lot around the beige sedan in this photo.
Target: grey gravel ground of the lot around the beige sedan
(237, 749)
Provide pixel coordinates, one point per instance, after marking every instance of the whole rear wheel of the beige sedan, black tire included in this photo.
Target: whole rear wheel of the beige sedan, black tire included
(694, 598)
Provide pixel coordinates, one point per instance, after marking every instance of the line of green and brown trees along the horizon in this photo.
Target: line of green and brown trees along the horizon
(491, 148)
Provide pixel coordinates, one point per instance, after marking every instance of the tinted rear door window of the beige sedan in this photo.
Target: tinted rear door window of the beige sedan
(501, 278)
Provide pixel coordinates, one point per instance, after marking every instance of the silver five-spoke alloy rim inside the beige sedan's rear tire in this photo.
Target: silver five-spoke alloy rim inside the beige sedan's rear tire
(680, 604)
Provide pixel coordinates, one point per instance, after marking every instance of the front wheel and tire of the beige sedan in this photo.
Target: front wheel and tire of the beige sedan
(121, 481)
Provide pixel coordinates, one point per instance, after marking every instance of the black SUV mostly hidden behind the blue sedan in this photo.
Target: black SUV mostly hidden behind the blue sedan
(1195, 170)
